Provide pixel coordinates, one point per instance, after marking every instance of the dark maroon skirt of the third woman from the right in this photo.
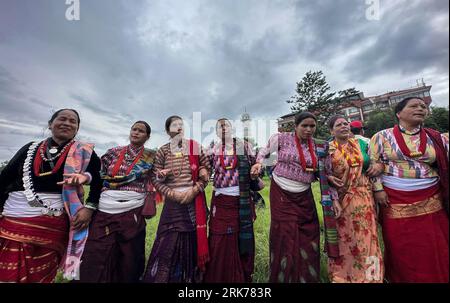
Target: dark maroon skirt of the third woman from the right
(294, 237)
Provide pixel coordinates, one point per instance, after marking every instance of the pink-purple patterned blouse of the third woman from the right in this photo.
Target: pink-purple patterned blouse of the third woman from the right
(288, 162)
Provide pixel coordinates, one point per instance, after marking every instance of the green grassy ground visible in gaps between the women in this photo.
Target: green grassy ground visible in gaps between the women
(261, 227)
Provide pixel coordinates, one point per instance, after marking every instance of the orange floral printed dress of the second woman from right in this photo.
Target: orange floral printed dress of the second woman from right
(360, 259)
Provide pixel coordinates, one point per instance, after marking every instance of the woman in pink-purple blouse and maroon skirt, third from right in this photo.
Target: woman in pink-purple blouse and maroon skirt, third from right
(294, 228)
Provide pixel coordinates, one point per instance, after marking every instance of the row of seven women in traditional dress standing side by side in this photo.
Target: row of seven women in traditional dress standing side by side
(402, 179)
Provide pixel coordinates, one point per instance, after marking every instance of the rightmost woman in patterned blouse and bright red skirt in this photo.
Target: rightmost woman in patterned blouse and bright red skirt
(414, 192)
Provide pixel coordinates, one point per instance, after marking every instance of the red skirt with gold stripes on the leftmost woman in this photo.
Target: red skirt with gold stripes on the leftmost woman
(31, 249)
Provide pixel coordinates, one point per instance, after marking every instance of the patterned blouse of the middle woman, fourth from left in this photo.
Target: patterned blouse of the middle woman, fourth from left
(227, 177)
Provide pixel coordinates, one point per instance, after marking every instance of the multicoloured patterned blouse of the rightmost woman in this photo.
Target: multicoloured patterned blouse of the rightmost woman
(384, 148)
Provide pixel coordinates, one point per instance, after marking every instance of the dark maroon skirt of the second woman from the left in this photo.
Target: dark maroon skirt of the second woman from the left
(115, 248)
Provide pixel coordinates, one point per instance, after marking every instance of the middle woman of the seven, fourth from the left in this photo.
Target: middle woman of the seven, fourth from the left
(231, 237)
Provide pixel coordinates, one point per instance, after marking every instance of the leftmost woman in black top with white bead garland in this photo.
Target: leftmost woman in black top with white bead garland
(38, 205)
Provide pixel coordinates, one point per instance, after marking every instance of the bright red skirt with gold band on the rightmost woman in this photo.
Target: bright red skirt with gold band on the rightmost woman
(415, 232)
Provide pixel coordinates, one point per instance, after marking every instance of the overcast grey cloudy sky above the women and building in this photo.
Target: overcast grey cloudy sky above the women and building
(146, 60)
